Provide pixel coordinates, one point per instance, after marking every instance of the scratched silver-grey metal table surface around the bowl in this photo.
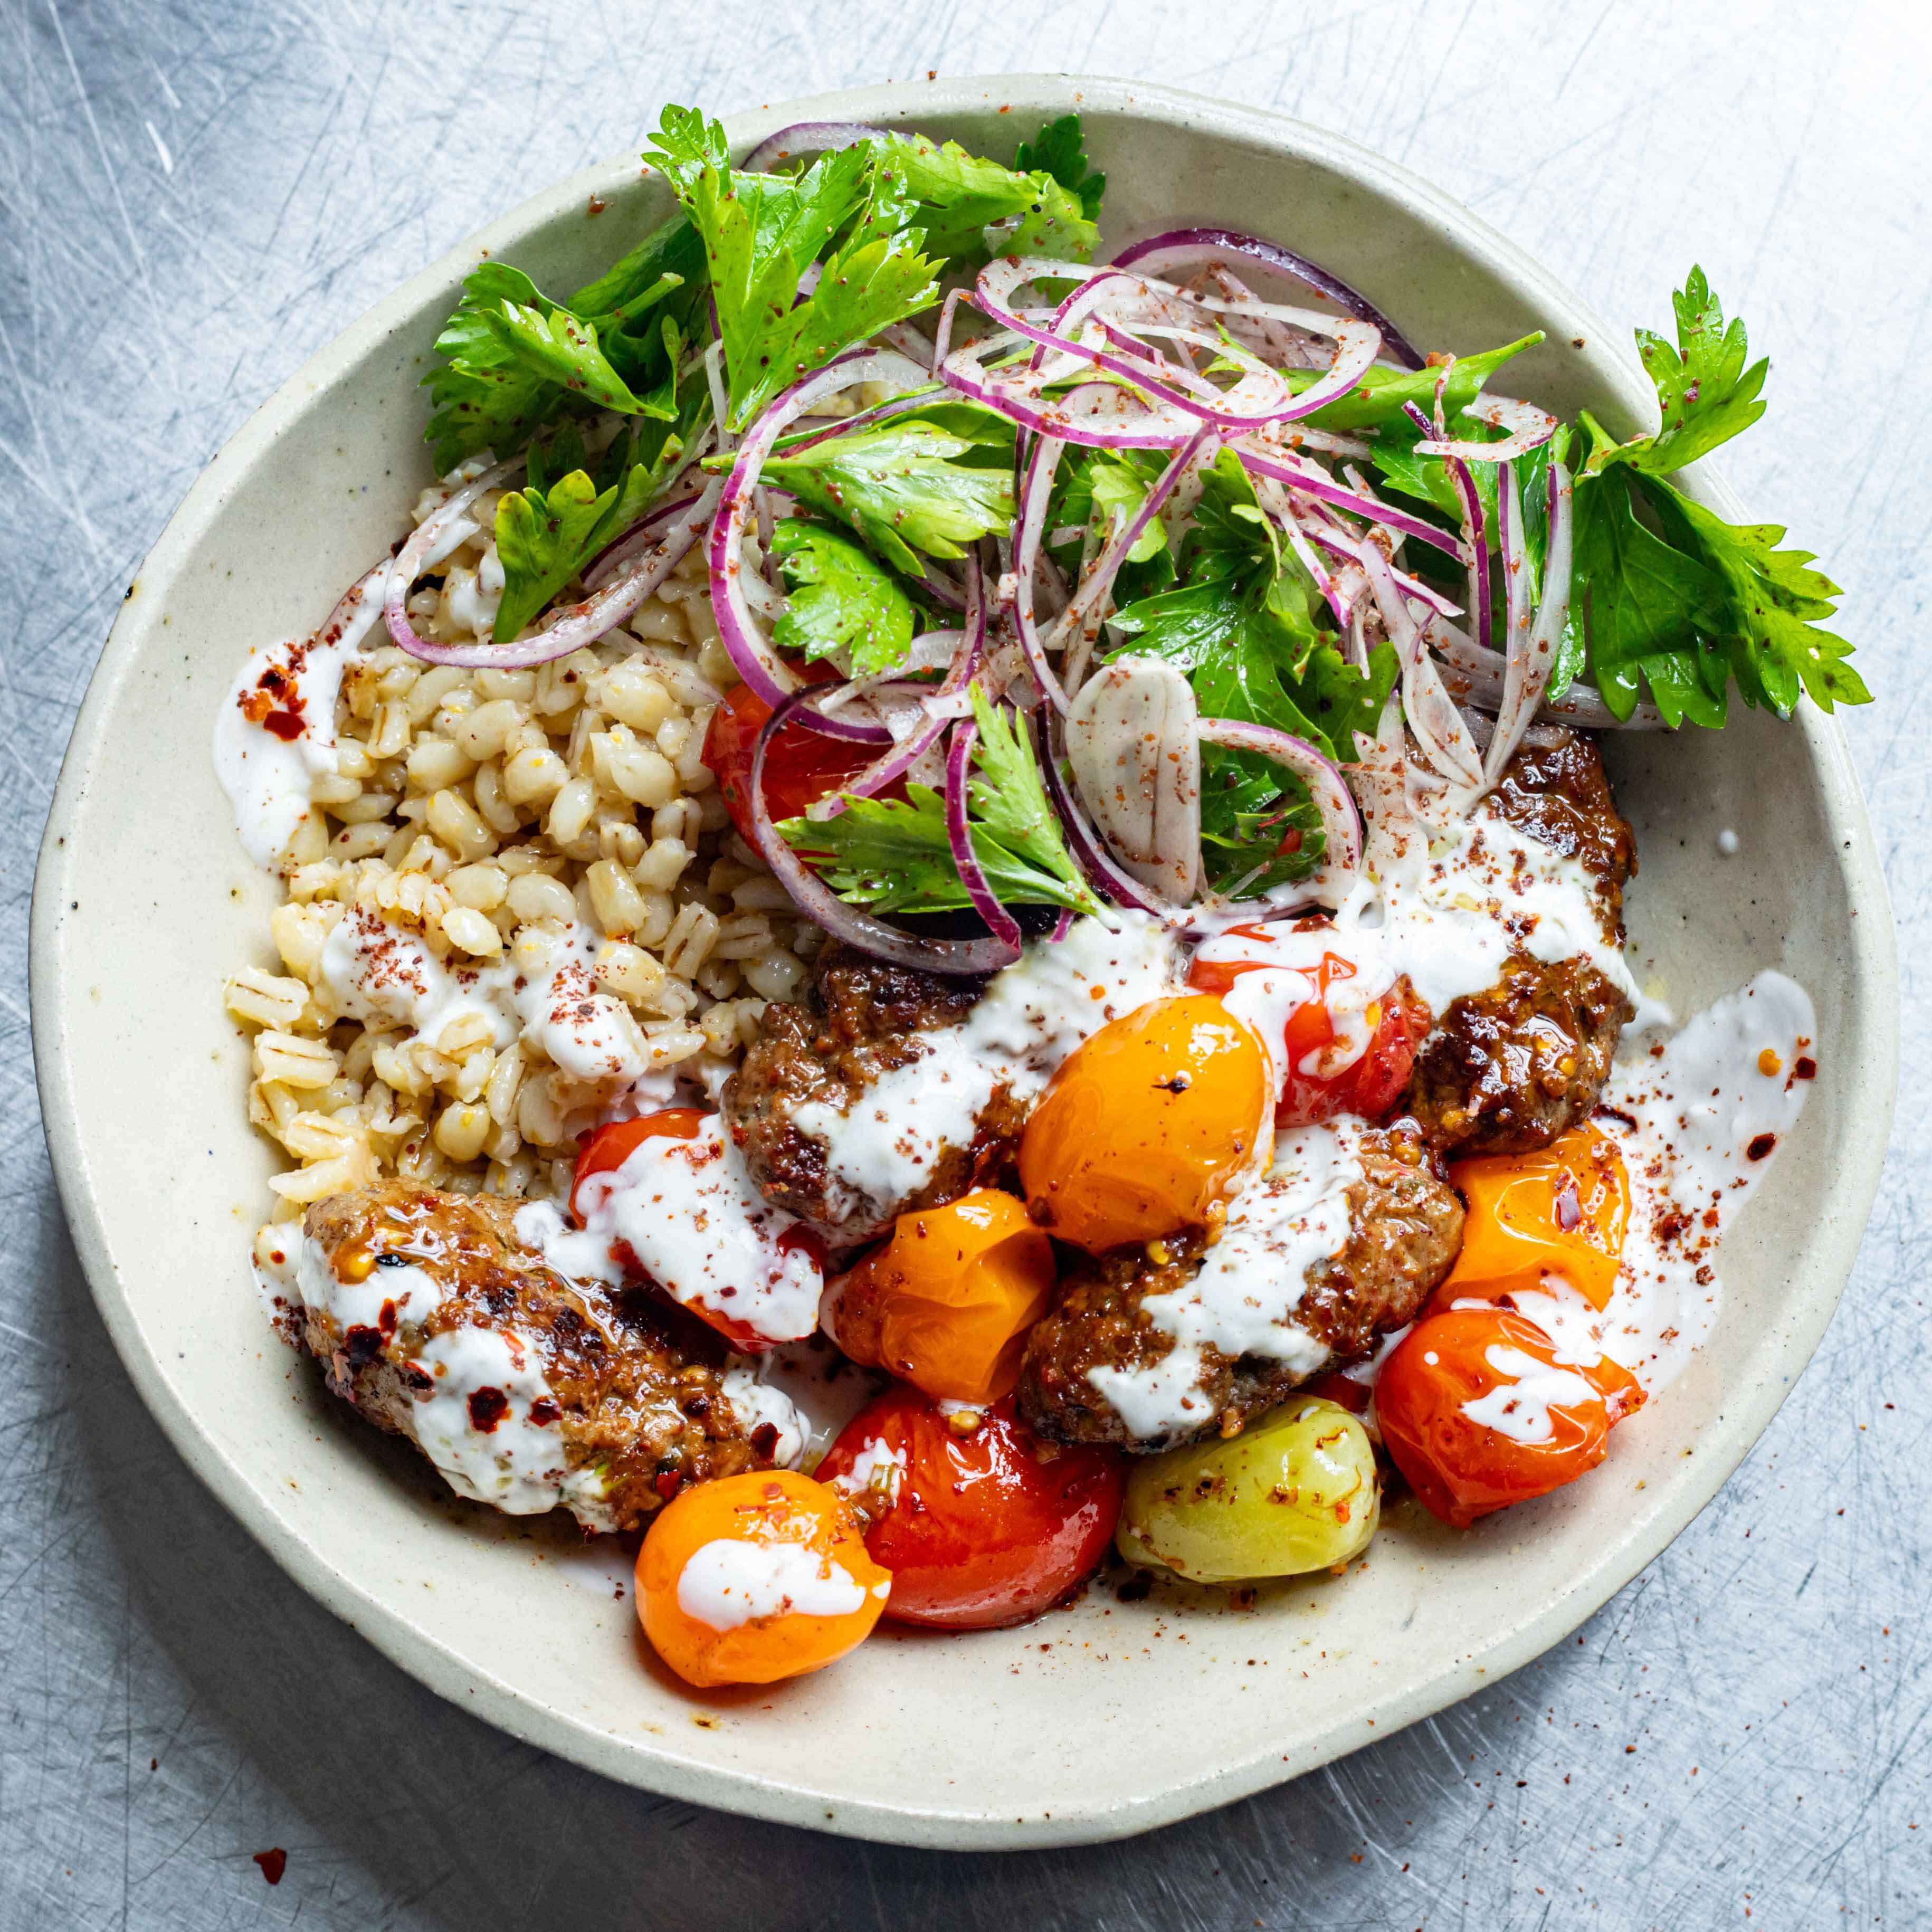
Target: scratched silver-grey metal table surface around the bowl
(196, 196)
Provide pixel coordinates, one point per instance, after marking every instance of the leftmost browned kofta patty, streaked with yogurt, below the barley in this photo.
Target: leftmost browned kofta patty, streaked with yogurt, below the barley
(635, 1392)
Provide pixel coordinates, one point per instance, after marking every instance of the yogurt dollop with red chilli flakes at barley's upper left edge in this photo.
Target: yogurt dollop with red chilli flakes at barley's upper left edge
(277, 729)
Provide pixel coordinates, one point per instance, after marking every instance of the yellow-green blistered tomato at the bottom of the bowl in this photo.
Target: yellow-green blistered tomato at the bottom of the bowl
(1293, 1492)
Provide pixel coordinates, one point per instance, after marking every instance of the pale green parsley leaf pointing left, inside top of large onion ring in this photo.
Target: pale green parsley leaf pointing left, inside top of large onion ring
(909, 486)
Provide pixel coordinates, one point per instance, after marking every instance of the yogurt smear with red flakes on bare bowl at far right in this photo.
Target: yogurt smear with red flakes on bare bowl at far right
(1699, 1122)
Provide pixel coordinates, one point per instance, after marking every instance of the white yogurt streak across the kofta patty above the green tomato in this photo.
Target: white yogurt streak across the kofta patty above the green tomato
(1280, 1232)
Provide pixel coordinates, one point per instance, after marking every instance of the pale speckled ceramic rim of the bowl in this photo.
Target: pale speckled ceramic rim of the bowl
(1728, 1436)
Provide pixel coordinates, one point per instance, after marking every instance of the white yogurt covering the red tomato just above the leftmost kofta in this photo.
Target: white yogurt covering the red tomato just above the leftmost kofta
(695, 1222)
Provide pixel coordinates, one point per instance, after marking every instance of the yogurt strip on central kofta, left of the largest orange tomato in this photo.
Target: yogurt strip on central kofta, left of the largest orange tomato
(1035, 1013)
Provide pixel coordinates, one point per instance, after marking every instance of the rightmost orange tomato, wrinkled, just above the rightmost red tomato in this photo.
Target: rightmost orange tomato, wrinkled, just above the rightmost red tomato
(1560, 1210)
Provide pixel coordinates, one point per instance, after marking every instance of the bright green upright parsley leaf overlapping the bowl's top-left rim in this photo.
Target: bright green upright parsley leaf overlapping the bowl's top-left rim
(764, 231)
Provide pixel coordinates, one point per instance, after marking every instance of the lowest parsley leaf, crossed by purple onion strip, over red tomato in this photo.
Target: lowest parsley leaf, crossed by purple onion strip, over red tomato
(897, 859)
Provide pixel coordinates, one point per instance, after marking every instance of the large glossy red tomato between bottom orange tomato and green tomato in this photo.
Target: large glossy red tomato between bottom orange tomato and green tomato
(986, 1527)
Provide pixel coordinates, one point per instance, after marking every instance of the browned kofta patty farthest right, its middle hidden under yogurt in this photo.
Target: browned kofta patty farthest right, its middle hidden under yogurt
(1523, 1062)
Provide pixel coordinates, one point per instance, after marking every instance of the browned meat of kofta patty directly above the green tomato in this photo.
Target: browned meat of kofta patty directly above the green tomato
(1406, 1230)
